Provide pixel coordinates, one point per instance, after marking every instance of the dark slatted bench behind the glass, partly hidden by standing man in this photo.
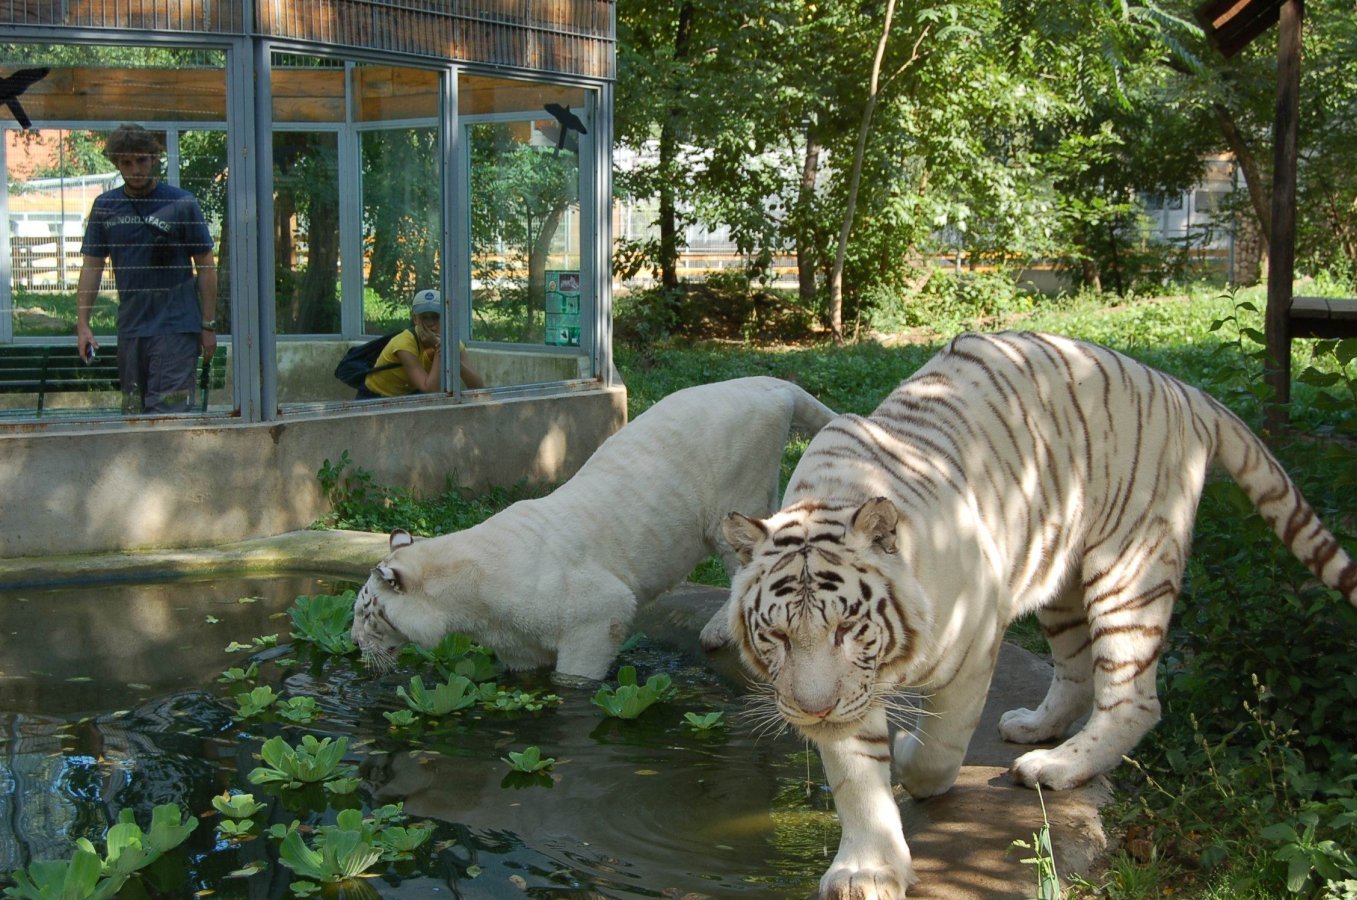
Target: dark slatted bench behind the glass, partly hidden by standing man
(58, 369)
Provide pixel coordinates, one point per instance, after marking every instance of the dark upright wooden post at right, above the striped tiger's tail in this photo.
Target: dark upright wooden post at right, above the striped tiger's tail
(1282, 246)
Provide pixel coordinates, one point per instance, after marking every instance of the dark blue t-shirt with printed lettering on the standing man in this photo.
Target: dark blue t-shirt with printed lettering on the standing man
(151, 242)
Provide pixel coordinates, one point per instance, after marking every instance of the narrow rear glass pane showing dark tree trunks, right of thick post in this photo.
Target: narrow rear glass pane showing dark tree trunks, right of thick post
(306, 234)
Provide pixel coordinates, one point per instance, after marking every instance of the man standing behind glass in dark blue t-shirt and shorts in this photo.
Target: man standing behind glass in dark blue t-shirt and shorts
(165, 272)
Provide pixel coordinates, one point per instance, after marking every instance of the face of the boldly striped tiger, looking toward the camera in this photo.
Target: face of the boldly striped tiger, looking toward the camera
(819, 612)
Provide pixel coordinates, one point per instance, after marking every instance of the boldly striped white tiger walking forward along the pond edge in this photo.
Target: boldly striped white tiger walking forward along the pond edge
(1013, 473)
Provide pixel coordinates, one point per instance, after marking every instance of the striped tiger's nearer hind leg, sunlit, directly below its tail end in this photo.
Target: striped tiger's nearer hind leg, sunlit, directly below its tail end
(1128, 598)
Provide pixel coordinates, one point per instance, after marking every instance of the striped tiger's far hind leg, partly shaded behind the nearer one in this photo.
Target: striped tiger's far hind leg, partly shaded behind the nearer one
(1071, 693)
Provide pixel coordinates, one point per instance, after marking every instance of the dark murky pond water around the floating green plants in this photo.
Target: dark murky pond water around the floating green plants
(111, 698)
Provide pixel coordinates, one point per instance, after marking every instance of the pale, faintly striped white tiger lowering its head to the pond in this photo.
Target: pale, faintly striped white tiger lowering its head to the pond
(556, 580)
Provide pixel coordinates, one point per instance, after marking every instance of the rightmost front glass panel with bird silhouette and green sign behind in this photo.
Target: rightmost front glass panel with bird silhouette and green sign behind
(530, 293)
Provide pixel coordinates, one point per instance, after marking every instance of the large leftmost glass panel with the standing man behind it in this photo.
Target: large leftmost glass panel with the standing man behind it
(64, 196)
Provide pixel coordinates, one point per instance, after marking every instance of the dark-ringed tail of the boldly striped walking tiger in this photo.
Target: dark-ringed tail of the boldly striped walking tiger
(1282, 504)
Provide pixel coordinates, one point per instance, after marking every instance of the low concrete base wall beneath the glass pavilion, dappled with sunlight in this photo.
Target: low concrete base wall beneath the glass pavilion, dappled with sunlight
(166, 487)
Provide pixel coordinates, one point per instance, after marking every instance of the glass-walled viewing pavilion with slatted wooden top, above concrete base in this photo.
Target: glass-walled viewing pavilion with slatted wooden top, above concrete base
(345, 154)
